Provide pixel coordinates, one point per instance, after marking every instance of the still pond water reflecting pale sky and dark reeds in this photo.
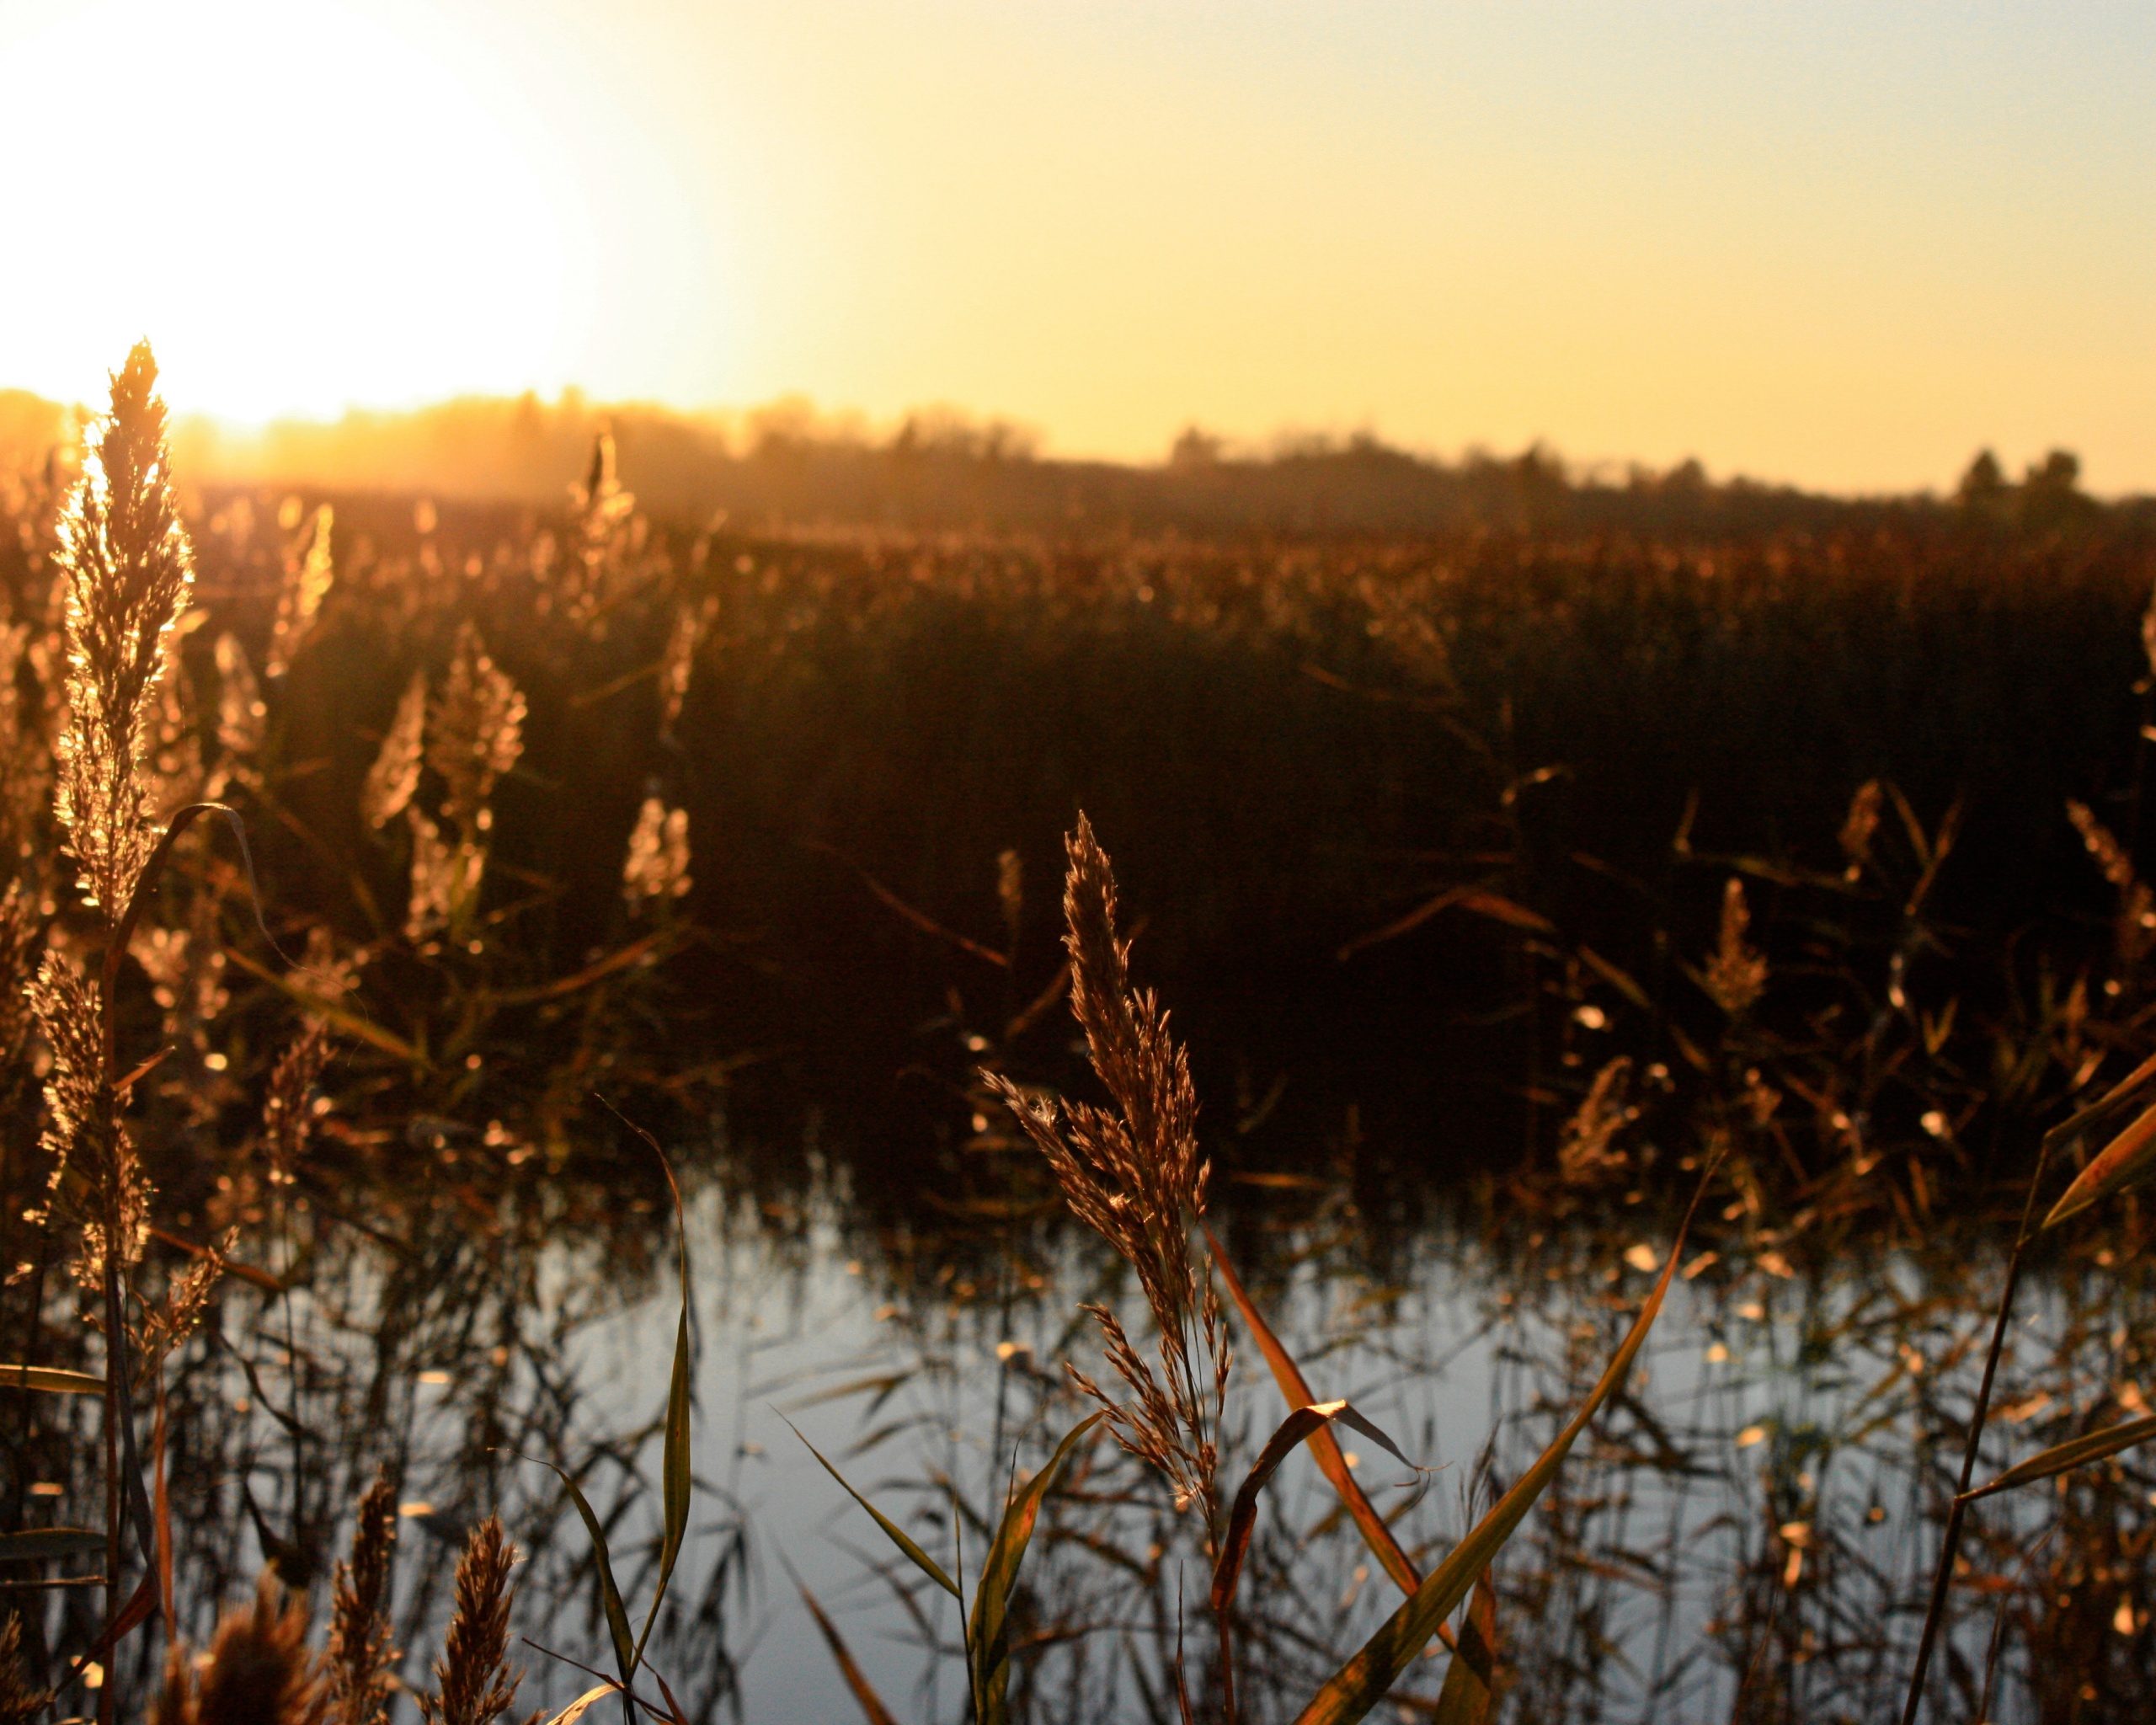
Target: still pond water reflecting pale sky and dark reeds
(1747, 1534)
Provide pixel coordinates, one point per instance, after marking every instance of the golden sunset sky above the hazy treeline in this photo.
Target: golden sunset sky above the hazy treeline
(1832, 245)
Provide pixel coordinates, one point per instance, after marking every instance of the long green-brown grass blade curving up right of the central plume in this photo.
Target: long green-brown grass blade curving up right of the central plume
(1364, 1681)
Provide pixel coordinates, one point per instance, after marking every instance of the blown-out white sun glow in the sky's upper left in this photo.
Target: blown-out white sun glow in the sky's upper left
(301, 204)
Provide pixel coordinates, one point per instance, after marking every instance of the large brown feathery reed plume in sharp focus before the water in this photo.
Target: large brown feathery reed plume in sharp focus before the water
(1137, 1178)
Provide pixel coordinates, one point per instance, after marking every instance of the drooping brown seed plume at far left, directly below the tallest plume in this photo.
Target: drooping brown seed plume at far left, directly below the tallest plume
(96, 1187)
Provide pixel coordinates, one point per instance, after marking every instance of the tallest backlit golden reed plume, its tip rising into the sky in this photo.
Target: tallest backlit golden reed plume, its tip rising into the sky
(128, 572)
